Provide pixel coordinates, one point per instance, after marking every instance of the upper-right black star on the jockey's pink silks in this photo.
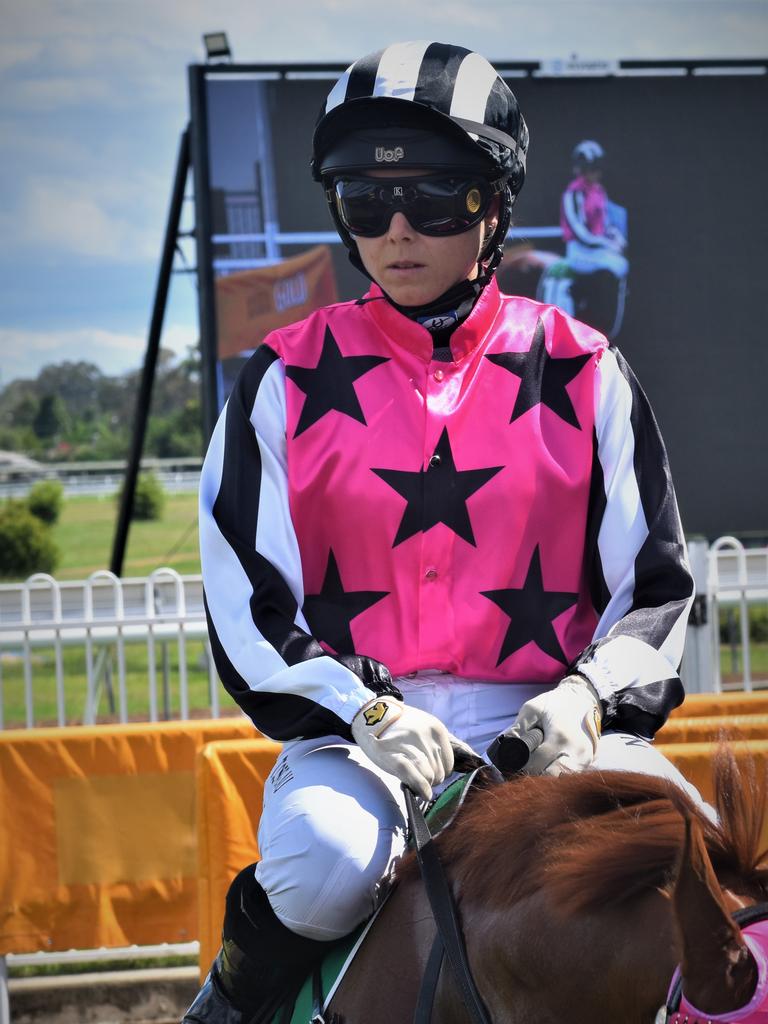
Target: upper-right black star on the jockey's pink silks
(543, 378)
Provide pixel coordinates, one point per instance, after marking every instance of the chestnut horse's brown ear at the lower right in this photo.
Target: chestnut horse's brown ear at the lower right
(719, 973)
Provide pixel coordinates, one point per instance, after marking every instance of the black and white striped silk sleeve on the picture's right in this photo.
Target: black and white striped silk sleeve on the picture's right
(641, 581)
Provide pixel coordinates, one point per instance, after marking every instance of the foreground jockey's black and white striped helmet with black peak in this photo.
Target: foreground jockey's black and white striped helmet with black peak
(424, 105)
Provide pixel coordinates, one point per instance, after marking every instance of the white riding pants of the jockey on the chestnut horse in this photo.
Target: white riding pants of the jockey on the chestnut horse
(334, 825)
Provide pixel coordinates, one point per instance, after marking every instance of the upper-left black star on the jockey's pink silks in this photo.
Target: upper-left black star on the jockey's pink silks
(330, 386)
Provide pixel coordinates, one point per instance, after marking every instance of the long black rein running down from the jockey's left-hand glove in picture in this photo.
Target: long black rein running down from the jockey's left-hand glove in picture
(444, 911)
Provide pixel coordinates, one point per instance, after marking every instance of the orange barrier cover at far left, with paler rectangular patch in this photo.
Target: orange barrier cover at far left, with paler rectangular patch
(98, 834)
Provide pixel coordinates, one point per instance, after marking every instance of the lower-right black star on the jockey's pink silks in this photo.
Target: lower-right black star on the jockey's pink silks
(532, 610)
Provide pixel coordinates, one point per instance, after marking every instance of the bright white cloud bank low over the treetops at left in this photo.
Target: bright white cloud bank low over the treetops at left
(24, 353)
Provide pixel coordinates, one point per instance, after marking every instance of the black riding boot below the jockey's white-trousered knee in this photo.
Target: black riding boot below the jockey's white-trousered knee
(262, 963)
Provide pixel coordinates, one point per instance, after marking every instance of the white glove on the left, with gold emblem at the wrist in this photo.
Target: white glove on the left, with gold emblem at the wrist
(410, 744)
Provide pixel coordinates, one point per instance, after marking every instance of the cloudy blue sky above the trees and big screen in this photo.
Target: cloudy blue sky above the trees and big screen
(94, 98)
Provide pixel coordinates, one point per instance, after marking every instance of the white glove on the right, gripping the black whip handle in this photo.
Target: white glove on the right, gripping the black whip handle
(570, 717)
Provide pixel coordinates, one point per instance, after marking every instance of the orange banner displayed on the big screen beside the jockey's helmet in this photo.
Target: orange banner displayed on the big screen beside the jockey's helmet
(252, 304)
